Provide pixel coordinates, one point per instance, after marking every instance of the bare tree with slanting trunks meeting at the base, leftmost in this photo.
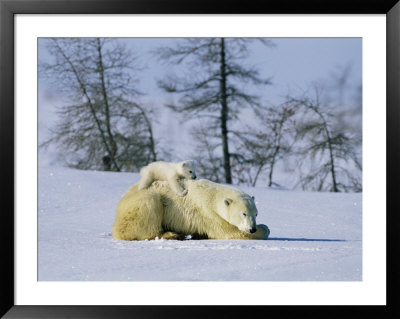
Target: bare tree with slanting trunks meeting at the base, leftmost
(103, 126)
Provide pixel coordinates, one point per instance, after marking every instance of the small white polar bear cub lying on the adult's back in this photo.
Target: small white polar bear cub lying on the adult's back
(170, 172)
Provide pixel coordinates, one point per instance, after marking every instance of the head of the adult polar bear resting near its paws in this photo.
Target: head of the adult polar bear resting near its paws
(240, 211)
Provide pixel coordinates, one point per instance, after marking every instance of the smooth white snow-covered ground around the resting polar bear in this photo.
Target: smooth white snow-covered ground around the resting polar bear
(314, 237)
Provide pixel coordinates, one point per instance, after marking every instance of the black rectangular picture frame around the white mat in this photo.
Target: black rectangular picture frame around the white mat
(8, 10)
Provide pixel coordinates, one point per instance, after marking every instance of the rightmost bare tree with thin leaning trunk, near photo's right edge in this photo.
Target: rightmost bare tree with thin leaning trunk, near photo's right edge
(330, 148)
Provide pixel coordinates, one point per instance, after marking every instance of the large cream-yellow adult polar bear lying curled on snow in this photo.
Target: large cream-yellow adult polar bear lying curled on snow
(209, 210)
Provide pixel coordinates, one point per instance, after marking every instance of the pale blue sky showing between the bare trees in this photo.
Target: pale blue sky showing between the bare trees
(293, 64)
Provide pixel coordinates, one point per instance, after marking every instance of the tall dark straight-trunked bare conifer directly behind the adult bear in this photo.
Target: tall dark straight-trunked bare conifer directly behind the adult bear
(214, 84)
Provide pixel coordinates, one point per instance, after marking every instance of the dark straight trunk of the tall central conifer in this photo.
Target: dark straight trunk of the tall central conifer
(224, 115)
